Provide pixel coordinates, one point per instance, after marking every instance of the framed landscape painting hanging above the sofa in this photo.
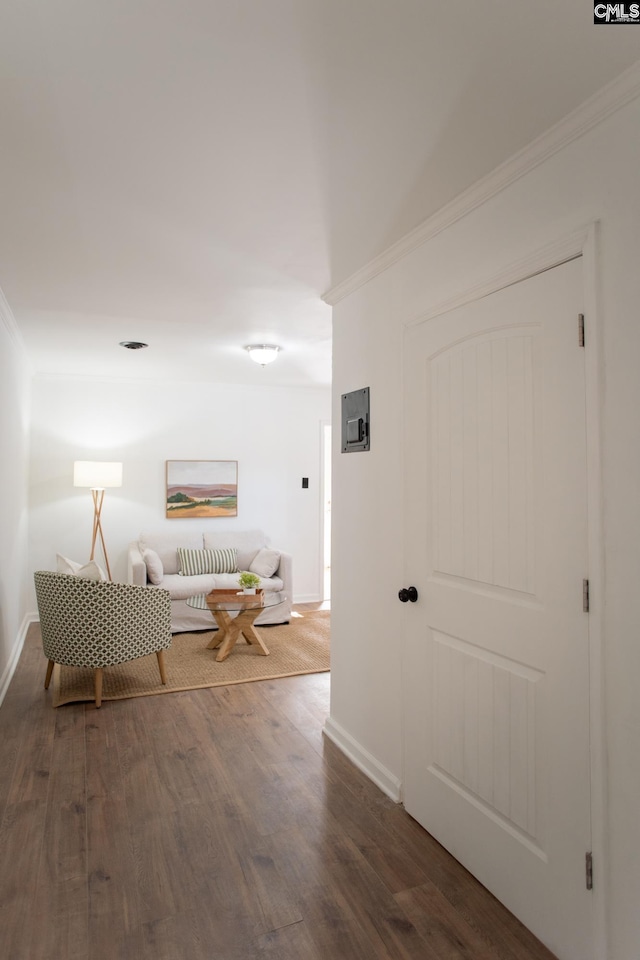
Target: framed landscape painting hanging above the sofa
(202, 488)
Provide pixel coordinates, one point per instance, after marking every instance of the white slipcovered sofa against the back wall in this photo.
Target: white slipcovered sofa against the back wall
(162, 563)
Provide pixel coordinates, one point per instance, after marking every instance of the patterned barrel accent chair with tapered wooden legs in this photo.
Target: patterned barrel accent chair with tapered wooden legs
(97, 624)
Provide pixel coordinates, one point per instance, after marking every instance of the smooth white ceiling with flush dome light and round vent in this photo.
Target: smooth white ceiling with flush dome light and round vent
(196, 173)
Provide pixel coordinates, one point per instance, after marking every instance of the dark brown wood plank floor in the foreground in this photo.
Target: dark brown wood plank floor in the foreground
(217, 825)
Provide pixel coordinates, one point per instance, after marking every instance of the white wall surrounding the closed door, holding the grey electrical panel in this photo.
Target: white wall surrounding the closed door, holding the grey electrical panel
(595, 177)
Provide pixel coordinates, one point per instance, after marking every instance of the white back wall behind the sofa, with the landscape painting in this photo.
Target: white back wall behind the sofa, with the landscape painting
(274, 434)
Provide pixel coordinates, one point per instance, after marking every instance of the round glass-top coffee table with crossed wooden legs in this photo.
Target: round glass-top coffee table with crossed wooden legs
(222, 603)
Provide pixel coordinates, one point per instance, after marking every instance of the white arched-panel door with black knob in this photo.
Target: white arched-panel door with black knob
(496, 665)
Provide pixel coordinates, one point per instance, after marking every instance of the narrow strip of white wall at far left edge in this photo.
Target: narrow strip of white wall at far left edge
(14, 432)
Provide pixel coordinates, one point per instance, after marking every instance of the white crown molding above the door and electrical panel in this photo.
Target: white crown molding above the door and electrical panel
(593, 111)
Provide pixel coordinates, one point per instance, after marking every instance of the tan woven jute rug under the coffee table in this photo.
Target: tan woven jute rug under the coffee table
(302, 646)
